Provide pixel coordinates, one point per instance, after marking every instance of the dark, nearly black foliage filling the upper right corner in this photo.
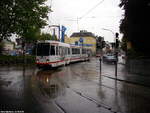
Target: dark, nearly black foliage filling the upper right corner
(135, 24)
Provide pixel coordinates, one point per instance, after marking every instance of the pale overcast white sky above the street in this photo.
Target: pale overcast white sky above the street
(101, 17)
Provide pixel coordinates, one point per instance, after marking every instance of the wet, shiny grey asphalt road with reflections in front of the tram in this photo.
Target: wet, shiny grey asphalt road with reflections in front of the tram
(76, 88)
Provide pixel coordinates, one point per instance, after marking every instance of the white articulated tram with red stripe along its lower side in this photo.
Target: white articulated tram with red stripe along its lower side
(54, 54)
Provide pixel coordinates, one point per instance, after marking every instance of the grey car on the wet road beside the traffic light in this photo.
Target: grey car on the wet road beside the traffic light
(109, 58)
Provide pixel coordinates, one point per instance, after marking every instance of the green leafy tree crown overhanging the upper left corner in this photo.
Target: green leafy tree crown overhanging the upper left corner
(22, 17)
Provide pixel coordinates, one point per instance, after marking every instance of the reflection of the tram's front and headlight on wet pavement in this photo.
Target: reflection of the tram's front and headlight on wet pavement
(49, 84)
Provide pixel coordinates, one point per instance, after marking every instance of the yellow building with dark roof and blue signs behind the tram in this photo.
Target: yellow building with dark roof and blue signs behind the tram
(83, 38)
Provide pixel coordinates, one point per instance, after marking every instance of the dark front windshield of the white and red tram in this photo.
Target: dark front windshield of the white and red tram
(43, 49)
